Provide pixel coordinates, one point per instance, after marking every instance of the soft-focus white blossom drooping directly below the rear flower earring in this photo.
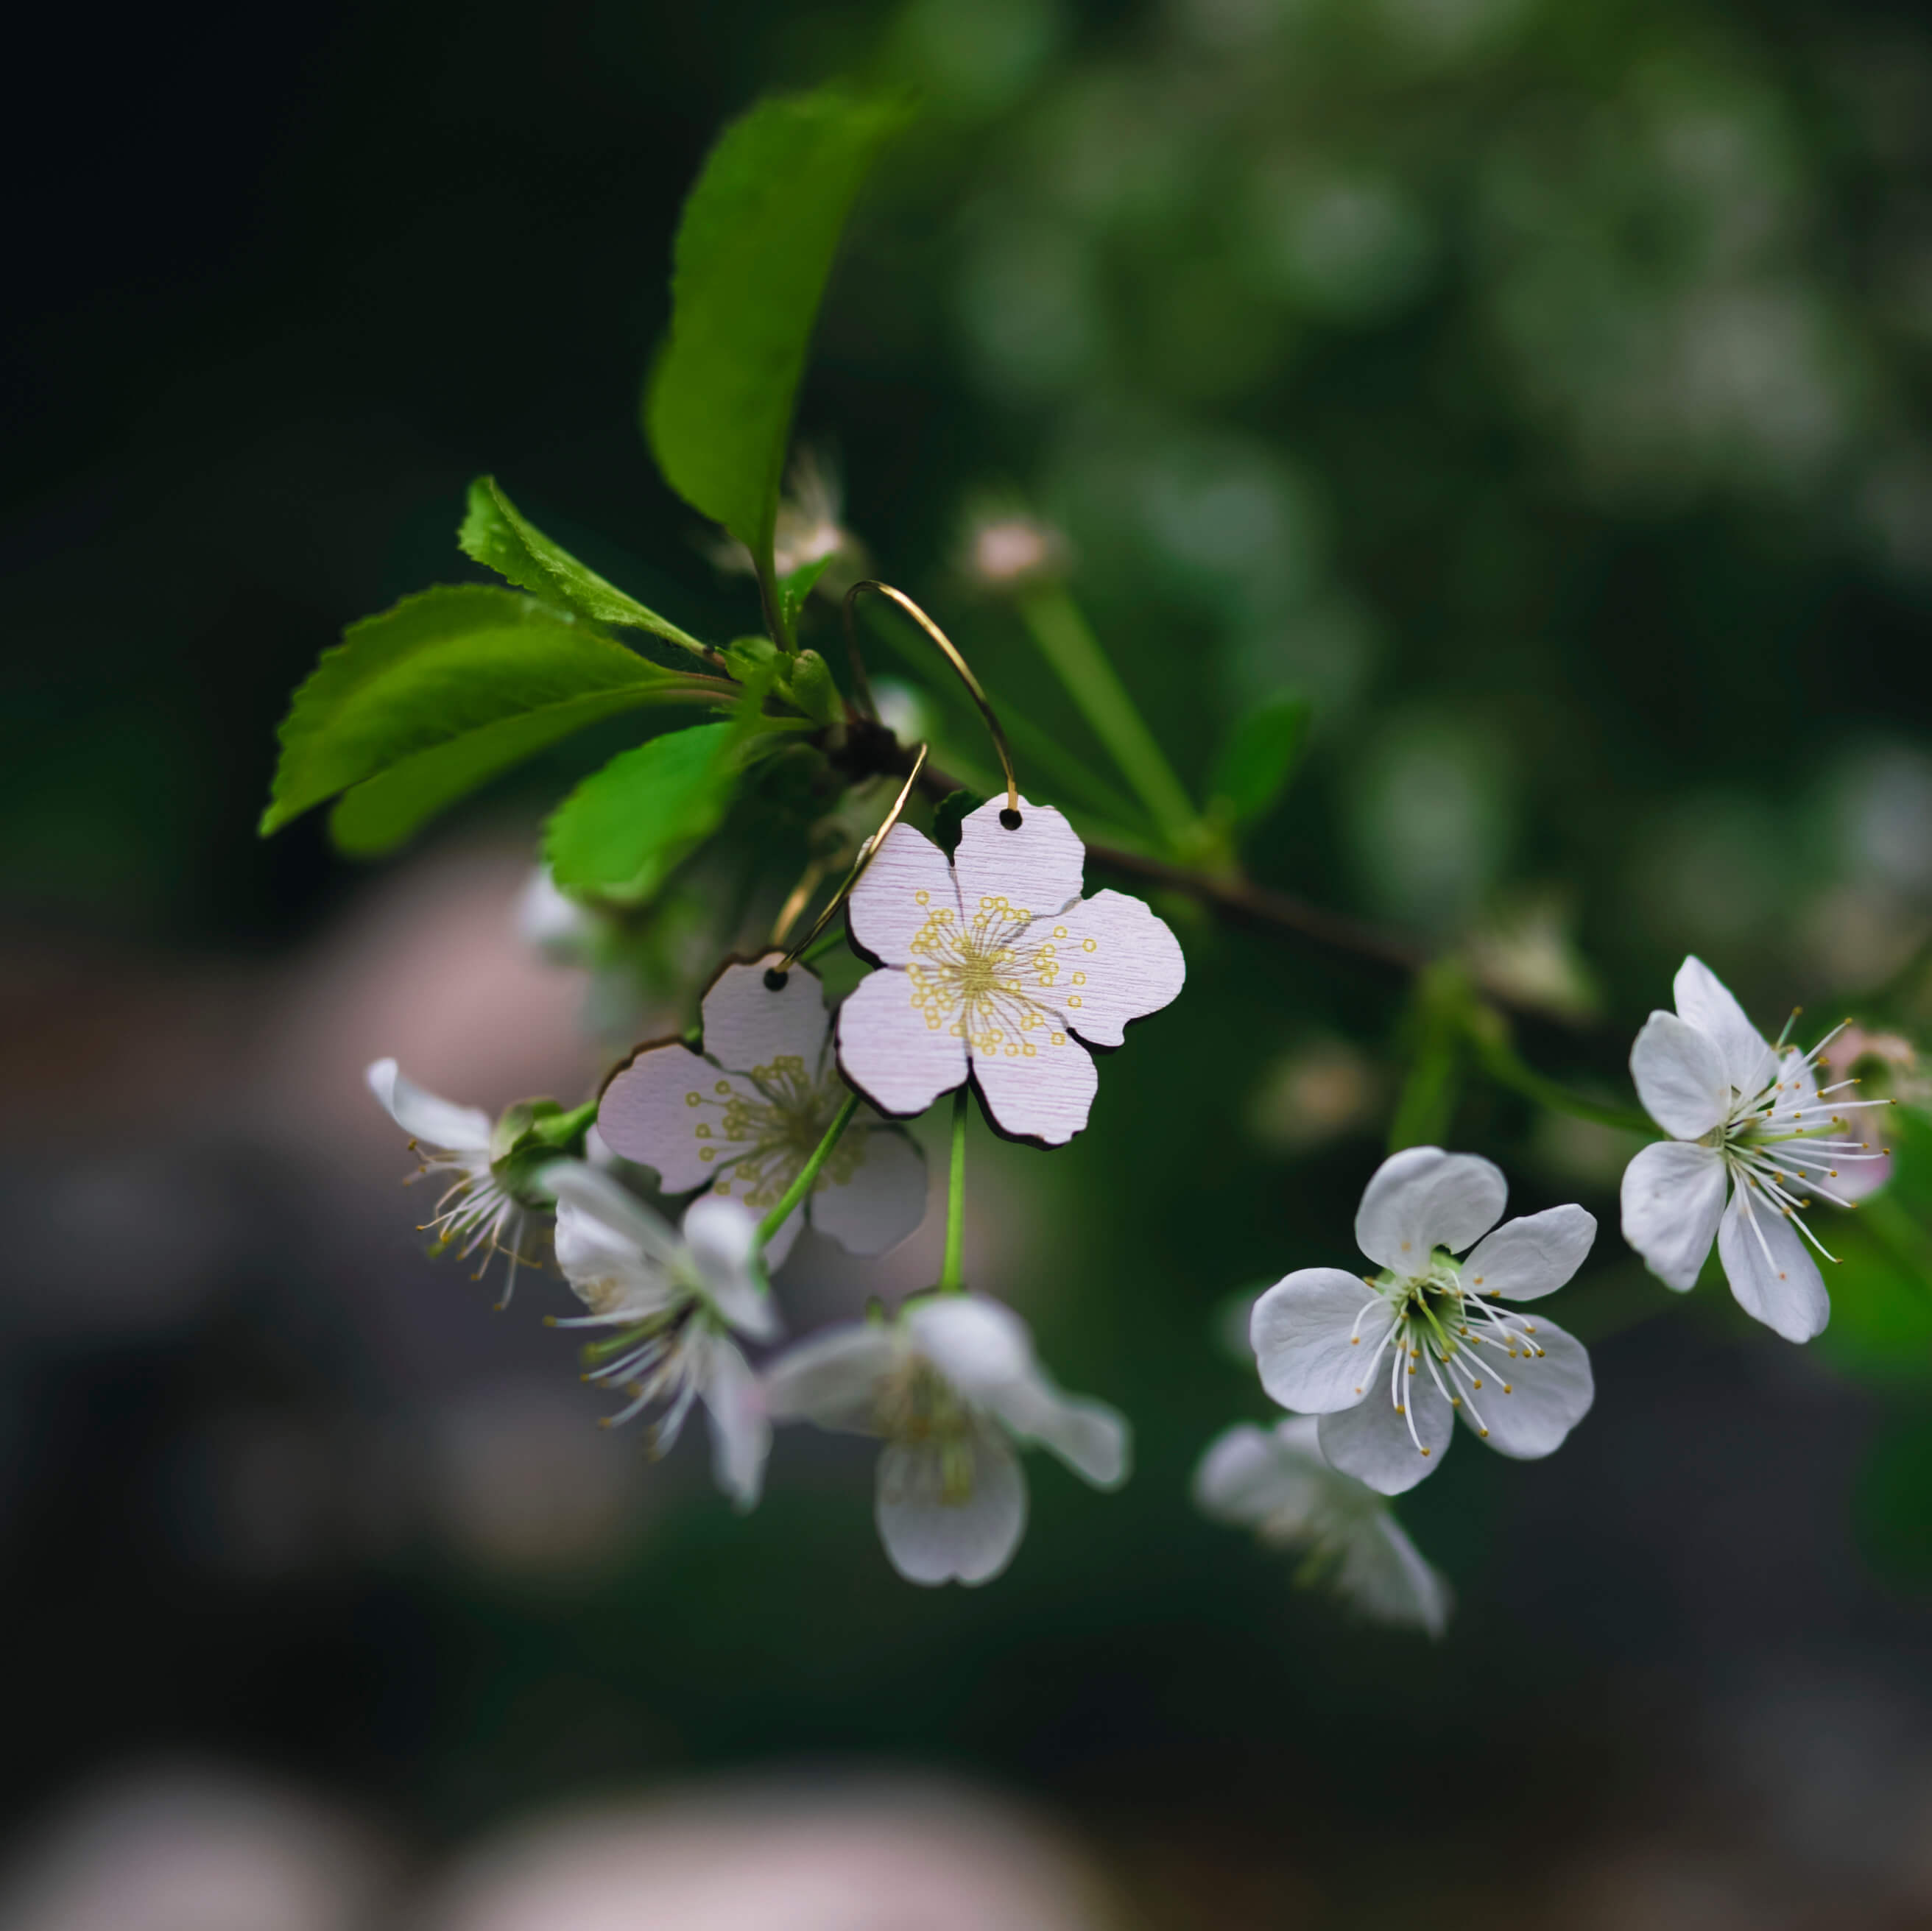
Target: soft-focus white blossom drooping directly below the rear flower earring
(675, 1302)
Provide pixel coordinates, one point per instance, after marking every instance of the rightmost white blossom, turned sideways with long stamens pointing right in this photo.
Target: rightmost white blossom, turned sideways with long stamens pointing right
(1747, 1121)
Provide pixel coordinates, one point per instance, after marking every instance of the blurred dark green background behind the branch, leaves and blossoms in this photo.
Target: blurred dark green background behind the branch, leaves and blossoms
(1539, 389)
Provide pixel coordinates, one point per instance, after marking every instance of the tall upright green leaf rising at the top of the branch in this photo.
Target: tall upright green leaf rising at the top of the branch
(753, 256)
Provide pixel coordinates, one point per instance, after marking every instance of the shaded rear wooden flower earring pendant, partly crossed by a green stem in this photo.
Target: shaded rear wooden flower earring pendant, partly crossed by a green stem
(747, 1113)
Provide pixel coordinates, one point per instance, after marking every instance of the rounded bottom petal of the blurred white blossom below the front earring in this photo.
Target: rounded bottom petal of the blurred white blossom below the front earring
(934, 1534)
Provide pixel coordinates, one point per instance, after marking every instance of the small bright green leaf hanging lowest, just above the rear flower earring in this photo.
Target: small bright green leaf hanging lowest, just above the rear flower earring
(625, 829)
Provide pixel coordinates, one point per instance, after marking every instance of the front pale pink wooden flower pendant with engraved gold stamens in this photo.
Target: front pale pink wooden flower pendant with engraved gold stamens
(996, 968)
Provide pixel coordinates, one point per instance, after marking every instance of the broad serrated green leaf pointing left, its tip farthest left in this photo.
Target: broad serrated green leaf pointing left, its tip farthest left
(440, 694)
